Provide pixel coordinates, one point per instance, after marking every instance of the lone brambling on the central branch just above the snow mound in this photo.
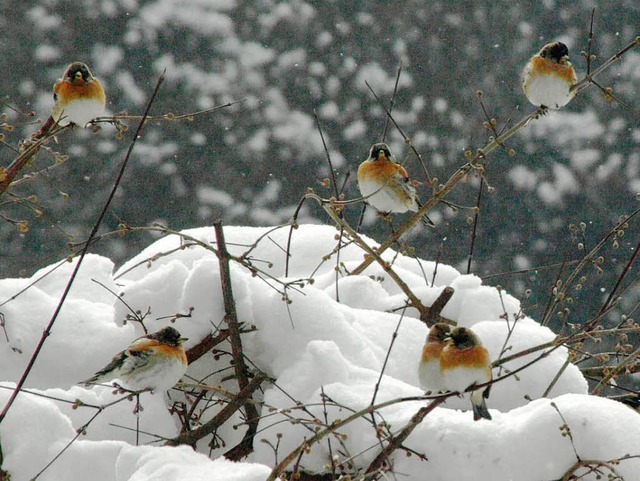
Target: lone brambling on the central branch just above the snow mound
(385, 184)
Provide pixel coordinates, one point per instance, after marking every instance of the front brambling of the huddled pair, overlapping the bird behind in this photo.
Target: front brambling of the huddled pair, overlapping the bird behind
(464, 363)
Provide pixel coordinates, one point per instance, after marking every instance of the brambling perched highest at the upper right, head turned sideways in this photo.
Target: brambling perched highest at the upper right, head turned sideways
(548, 77)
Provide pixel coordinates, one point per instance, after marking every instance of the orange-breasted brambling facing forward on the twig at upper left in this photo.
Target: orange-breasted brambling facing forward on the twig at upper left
(79, 97)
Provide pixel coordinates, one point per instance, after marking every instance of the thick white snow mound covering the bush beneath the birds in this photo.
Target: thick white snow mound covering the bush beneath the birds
(312, 345)
